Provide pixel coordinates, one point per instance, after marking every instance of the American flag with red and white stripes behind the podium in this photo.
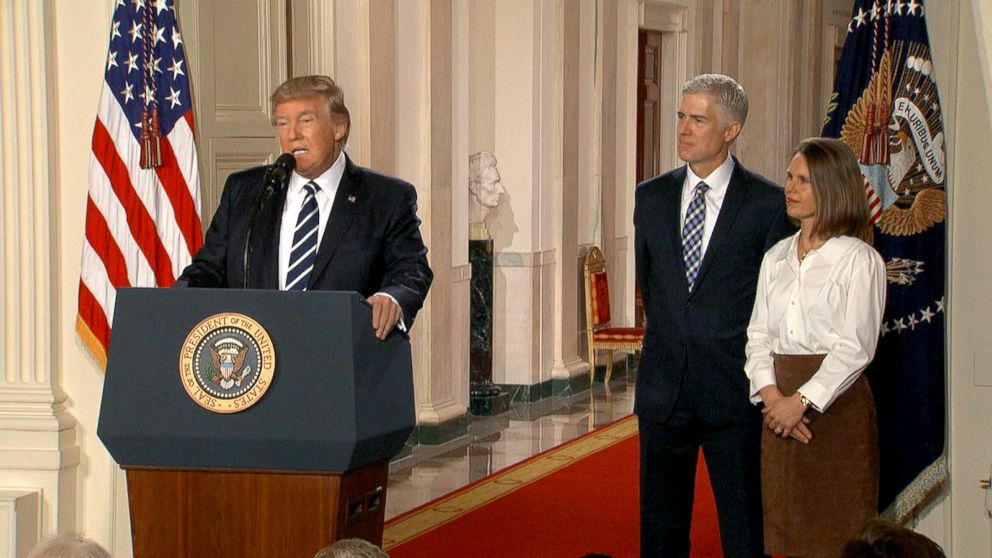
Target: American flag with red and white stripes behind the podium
(142, 213)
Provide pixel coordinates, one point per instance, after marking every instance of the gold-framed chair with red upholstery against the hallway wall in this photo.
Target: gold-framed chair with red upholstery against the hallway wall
(599, 335)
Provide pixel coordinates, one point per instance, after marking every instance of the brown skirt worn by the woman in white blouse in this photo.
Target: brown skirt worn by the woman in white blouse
(817, 496)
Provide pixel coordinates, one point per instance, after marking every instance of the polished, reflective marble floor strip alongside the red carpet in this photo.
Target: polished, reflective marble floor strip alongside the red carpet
(494, 443)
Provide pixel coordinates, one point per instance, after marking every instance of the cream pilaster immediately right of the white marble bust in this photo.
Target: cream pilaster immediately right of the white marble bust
(518, 258)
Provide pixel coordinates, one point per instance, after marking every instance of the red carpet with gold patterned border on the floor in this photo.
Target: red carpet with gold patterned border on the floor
(577, 498)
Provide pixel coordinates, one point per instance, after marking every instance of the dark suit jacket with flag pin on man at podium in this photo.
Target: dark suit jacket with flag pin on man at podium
(371, 243)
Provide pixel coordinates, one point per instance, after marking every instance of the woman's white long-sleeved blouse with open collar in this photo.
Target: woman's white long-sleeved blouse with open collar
(831, 304)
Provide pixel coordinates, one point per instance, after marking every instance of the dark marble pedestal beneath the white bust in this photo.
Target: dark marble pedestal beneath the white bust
(485, 397)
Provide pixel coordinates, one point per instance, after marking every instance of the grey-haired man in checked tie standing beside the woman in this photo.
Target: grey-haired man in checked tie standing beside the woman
(700, 233)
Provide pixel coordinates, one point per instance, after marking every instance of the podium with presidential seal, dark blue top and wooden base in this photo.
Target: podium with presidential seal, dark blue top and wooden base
(284, 470)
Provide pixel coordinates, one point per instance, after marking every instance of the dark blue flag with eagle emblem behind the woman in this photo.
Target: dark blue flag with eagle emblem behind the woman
(886, 108)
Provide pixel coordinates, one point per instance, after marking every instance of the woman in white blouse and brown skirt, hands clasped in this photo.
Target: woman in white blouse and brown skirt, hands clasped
(813, 331)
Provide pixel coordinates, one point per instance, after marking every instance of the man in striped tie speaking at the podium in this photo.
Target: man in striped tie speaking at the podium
(331, 225)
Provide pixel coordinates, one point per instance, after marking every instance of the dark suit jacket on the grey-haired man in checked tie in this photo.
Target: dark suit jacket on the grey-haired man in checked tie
(694, 343)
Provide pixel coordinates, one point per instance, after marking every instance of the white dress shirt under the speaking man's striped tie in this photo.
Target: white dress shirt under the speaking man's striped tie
(295, 195)
